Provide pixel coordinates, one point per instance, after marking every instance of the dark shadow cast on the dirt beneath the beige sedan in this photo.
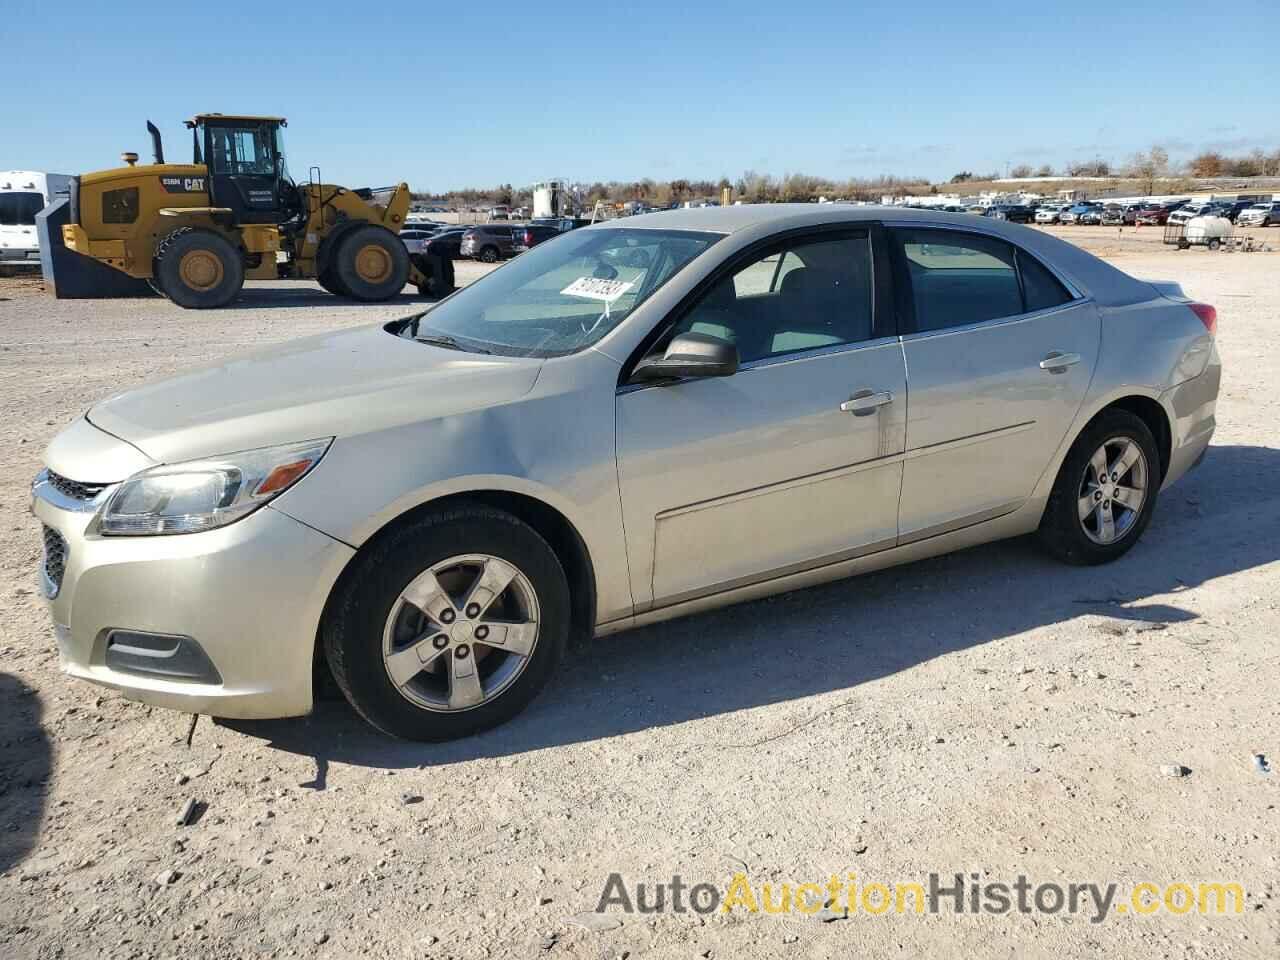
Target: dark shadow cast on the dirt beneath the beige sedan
(845, 634)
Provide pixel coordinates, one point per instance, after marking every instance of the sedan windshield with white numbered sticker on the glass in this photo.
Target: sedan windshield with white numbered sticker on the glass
(564, 295)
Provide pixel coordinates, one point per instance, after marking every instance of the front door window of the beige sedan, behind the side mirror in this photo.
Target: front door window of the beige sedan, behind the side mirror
(801, 296)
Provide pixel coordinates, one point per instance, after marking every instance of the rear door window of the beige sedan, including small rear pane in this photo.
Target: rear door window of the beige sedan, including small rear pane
(962, 278)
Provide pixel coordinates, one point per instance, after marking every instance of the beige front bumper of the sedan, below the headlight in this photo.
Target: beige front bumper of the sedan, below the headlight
(249, 596)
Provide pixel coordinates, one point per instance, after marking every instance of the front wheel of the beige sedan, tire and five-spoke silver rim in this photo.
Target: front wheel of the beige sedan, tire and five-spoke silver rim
(369, 623)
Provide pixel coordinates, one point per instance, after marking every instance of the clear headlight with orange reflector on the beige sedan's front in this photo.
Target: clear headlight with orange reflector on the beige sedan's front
(203, 495)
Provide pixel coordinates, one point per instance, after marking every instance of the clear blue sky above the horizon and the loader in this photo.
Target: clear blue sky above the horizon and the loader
(476, 94)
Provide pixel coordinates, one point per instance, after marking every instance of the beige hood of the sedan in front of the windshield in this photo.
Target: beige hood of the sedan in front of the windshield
(333, 385)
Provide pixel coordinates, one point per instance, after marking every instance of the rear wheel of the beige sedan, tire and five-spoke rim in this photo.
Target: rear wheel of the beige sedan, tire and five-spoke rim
(1084, 540)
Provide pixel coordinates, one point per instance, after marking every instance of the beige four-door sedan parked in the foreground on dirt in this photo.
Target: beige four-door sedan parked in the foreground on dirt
(643, 419)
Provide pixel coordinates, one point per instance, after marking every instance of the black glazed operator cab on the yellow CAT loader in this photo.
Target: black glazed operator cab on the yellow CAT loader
(248, 173)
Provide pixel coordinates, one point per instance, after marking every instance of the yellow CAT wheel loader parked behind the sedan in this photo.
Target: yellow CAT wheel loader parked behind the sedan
(198, 231)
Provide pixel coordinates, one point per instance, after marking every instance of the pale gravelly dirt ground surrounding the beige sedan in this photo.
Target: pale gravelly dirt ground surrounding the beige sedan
(986, 714)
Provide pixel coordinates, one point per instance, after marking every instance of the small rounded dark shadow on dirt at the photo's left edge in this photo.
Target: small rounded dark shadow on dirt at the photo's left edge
(25, 769)
